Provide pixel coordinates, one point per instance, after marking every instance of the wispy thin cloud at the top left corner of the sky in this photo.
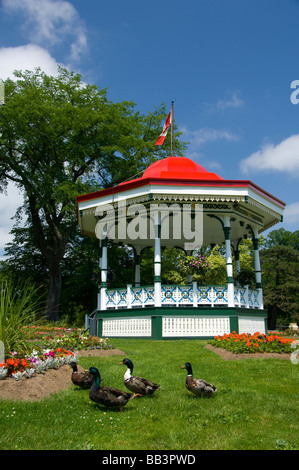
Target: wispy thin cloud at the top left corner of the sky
(50, 23)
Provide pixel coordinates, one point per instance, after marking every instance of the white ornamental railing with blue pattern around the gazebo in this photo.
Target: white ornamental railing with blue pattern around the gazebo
(178, 296)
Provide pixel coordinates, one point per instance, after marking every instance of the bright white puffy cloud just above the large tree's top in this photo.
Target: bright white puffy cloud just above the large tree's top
(26, 57)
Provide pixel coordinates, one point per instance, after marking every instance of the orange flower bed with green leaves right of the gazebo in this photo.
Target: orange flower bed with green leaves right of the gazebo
(253, 343)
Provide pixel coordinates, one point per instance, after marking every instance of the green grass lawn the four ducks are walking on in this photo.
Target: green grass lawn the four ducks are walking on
(256, 406)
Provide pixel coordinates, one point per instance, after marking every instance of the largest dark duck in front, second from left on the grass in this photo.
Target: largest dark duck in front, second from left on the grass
(108, 396)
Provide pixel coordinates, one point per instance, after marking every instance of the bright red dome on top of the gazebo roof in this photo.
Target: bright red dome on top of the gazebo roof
(178, 168)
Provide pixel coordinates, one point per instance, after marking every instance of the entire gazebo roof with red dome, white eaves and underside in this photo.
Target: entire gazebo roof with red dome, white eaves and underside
(179, 182)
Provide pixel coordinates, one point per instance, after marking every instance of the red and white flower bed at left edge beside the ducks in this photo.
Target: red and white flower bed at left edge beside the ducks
(37, 361)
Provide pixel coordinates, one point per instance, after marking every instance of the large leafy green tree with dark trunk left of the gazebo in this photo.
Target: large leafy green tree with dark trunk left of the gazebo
(60, 138)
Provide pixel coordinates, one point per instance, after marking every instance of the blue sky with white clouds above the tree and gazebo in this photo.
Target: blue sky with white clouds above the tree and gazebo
(228, 65)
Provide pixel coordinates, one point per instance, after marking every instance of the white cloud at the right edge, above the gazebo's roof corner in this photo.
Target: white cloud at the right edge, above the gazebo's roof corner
(283, 157)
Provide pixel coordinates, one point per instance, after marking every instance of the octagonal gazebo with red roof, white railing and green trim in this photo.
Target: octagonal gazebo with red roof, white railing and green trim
(178, 203)
